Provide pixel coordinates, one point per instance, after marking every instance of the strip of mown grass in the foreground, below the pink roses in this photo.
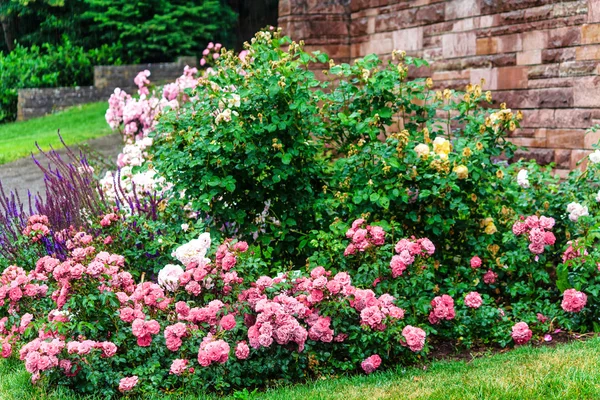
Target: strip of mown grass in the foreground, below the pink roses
(568, 371)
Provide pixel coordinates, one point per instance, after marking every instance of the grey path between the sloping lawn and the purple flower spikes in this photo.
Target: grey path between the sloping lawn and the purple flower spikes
(24, 175)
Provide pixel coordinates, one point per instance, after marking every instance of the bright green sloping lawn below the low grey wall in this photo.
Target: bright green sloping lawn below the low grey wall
(76, 124)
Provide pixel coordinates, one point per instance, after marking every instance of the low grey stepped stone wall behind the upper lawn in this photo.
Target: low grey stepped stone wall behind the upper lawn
(38, 102)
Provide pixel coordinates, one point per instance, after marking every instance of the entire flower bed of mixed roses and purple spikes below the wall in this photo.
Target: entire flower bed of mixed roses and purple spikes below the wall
(265, 227)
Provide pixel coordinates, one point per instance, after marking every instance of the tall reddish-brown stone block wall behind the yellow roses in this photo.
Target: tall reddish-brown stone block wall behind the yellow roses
(540, 56)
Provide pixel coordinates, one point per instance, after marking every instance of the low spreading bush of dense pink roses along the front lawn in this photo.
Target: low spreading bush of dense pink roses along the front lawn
(204, 306)
